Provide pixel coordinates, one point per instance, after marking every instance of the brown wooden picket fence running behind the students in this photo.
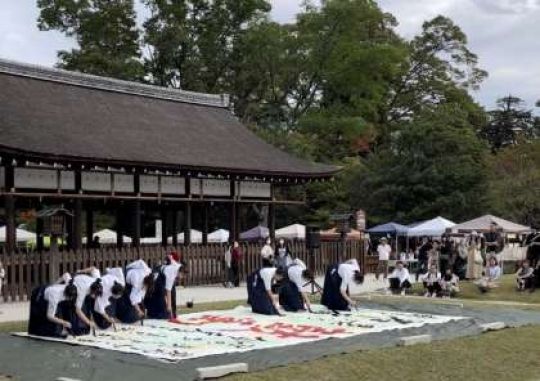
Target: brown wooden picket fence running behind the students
(26, 270)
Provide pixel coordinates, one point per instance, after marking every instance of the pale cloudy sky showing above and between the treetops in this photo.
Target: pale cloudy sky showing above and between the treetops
(502, 32)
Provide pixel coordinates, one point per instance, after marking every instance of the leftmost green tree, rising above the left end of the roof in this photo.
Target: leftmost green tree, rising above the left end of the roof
(105, 31)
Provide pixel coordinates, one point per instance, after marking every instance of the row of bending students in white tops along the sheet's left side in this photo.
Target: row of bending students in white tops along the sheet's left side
(77, 305)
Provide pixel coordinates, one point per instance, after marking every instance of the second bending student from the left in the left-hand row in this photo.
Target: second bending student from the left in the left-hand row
(89, 288)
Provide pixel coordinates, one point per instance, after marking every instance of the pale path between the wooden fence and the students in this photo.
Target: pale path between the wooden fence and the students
(10, 312)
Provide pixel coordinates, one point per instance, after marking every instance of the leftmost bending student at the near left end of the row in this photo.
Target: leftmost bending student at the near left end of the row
(52, 310)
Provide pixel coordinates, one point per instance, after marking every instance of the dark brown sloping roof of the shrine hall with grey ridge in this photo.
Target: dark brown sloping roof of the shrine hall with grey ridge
(48, 114)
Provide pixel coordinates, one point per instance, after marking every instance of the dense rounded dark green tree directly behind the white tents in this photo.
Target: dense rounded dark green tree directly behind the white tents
(435, 166)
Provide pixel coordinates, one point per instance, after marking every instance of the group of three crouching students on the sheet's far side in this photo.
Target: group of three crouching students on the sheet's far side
(270, 288)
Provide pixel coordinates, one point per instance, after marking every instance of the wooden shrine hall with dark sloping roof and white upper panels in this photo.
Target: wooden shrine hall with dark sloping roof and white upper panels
(85, 143)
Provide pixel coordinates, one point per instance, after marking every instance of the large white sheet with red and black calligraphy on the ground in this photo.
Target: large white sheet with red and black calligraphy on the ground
(239, 330)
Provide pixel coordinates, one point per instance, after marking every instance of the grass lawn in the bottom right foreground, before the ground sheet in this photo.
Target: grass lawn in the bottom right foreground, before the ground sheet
(509, 355)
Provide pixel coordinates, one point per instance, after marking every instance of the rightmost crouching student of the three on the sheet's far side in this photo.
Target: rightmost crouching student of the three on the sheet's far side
(337, 283)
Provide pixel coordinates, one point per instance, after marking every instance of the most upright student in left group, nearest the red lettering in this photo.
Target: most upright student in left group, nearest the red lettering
(161, 302)
